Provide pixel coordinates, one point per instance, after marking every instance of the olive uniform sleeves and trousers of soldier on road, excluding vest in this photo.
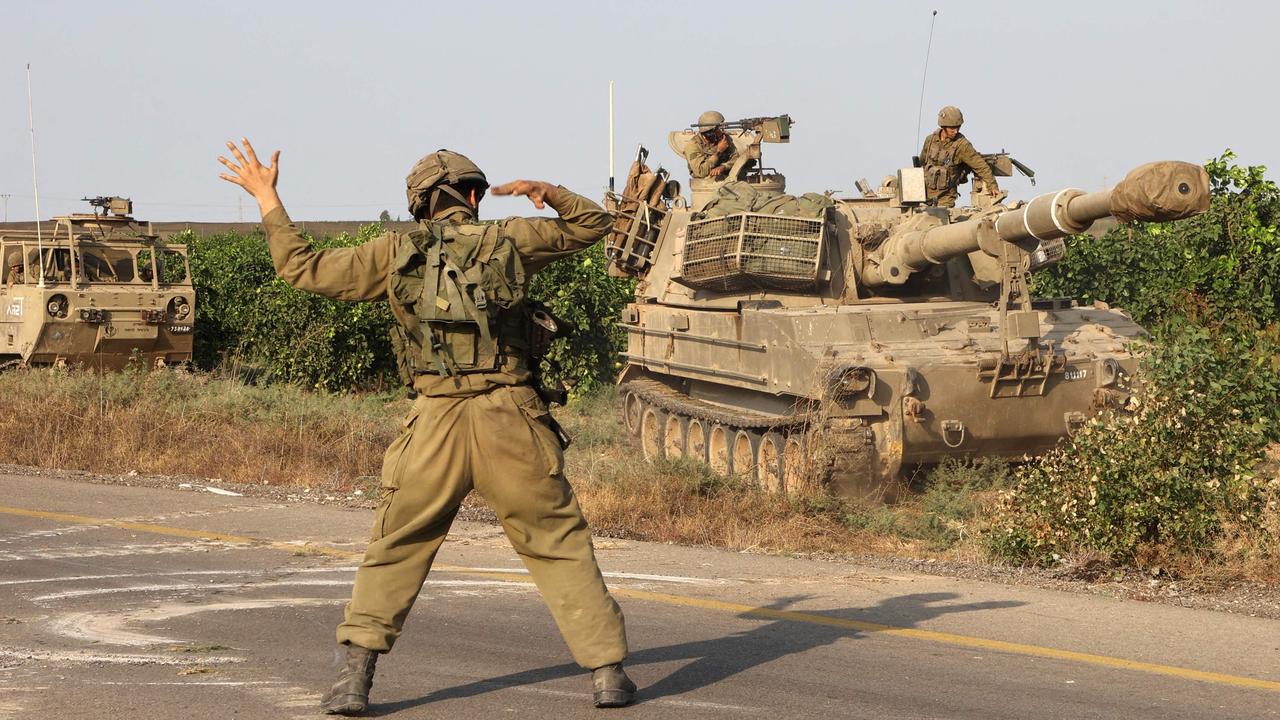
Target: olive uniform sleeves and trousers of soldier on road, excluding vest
(487, 431)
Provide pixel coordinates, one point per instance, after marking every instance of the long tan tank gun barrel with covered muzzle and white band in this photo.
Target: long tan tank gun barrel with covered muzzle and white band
(1154, 193)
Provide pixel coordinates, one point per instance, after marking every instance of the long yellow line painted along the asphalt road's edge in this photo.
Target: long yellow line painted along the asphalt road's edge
(705, 604)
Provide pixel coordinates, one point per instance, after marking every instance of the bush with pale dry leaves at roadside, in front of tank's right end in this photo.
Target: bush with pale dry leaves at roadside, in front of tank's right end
(1171, 477)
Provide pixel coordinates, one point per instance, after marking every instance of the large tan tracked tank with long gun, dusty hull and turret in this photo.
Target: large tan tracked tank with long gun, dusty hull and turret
(819, 341)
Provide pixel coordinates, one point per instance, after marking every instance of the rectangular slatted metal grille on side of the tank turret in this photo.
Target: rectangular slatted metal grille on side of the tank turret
(753, 252)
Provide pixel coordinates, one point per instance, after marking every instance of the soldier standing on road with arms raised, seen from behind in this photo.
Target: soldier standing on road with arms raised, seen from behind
(456, 288)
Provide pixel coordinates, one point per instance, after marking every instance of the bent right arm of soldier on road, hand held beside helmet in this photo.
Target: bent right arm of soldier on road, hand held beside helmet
(543, 240)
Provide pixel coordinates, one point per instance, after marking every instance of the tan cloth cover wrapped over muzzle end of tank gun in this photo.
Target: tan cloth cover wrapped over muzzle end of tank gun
(1162, 192)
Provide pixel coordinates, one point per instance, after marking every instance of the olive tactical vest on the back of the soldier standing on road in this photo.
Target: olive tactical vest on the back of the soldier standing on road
(459, 290)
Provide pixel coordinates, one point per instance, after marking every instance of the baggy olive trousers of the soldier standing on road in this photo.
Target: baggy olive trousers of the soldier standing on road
(501, 444)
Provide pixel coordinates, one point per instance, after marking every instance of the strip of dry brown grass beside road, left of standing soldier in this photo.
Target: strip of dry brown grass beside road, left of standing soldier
(191, 425)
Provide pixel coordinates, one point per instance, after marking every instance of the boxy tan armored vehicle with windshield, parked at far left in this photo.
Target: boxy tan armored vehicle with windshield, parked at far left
(100, 291)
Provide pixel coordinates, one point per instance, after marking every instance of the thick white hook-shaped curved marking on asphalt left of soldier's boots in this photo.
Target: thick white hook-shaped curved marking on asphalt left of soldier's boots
(108, 628)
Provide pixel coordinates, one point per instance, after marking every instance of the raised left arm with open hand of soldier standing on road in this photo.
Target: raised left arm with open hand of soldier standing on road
(341, 274)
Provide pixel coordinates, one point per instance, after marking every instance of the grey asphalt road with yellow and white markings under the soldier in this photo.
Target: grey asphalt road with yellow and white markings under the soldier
(138, 603)
